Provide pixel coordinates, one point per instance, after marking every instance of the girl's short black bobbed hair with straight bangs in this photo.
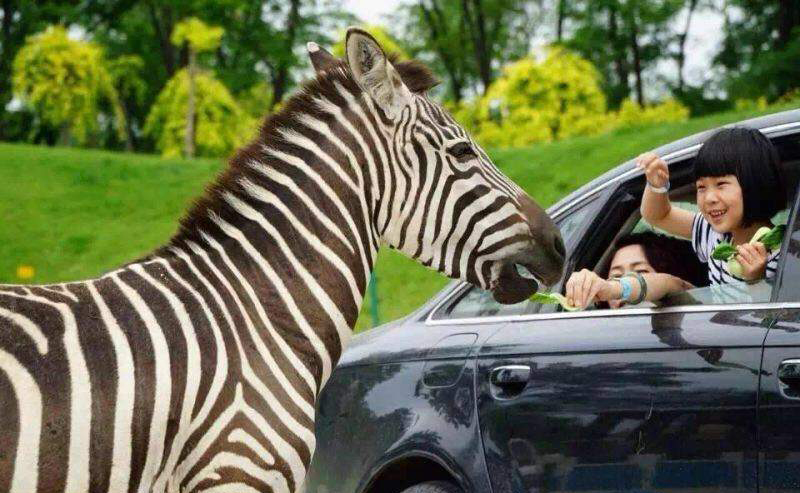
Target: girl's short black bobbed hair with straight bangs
(748, 154)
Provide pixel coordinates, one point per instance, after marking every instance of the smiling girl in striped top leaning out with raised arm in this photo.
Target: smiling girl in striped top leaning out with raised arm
(739, 189)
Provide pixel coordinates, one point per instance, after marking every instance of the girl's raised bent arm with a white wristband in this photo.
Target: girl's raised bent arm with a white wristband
(656, 207)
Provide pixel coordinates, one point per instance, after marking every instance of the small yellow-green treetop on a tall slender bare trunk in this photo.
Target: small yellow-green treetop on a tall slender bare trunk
(198, 37)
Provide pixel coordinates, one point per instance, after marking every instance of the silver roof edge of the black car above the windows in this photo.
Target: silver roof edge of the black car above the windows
(772, 120)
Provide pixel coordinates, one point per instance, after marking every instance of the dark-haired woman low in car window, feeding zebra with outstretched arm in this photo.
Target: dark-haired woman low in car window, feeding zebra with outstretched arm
(645, 266)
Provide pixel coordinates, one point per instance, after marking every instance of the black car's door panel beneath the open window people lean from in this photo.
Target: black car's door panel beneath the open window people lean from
(640, 399)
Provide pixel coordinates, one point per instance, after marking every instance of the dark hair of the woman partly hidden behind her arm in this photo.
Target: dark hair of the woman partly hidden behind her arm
(667, 255)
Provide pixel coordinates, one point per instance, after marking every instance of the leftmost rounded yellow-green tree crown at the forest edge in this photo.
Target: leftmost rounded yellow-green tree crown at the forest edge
(65, 81)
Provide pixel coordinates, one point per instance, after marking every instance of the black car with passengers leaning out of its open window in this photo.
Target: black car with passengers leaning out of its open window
(467, 395)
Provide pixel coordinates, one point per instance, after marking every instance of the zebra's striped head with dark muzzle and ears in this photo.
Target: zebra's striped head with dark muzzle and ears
(440, 199)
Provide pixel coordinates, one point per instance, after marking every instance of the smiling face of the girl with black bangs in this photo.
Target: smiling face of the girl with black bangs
(720, 201)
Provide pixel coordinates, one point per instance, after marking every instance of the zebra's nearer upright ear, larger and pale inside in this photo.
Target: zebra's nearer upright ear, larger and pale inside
(374, 73)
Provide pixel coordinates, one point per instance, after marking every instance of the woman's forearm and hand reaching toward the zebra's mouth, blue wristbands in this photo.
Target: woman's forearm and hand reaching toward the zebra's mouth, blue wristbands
(585, 287)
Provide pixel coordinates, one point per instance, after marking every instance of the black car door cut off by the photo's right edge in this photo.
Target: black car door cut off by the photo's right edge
(779, 401)
